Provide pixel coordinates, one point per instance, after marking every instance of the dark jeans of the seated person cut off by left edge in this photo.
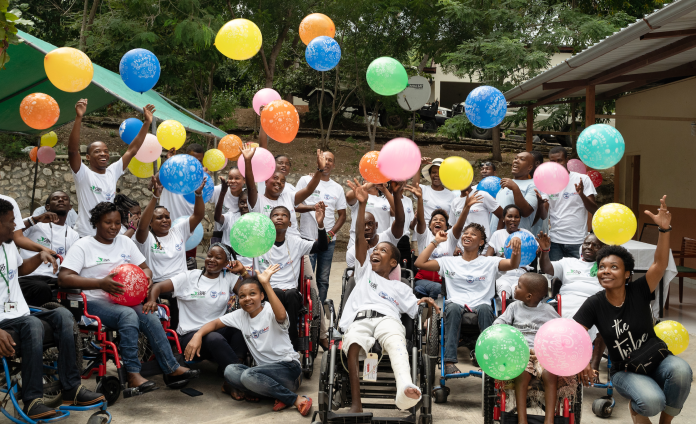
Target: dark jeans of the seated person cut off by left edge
(31, 332)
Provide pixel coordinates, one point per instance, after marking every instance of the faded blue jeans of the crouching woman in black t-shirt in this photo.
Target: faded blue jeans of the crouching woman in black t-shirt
(665, 390)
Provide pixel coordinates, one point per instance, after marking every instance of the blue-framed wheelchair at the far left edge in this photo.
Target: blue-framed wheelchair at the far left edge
(10, 385)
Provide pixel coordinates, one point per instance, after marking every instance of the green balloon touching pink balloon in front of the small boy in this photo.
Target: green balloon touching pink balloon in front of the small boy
(502, 352)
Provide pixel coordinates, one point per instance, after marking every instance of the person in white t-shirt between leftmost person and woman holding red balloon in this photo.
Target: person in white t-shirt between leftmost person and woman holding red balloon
(49, 230)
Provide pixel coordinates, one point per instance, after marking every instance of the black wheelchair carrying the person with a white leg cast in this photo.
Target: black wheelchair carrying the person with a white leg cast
(334, 383)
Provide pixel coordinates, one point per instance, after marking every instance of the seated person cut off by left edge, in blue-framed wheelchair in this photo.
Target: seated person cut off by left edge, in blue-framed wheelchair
(15, 316)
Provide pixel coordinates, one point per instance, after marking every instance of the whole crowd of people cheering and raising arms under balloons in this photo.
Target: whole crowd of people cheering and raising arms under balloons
(236, 306)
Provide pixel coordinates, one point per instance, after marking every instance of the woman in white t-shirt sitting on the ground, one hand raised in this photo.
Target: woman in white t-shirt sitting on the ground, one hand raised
(264, 325)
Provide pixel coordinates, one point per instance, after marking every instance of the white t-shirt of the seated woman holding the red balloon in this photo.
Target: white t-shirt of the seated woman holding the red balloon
(92, 259)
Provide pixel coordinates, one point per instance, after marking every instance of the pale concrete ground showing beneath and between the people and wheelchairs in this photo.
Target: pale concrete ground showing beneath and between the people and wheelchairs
(464, 403)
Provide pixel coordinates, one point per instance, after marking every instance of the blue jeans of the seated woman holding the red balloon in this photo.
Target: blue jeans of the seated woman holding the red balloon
(129, 322)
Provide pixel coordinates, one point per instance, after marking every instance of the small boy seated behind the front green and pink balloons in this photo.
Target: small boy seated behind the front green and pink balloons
(528, 315)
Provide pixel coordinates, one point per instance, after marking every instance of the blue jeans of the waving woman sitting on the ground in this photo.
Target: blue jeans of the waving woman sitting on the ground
(277, 381)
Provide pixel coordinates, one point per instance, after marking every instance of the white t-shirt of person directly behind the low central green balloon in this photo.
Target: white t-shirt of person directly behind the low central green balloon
(289, 257)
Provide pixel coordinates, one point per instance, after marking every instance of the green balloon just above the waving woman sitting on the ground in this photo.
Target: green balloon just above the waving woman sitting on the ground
(252, 235)
